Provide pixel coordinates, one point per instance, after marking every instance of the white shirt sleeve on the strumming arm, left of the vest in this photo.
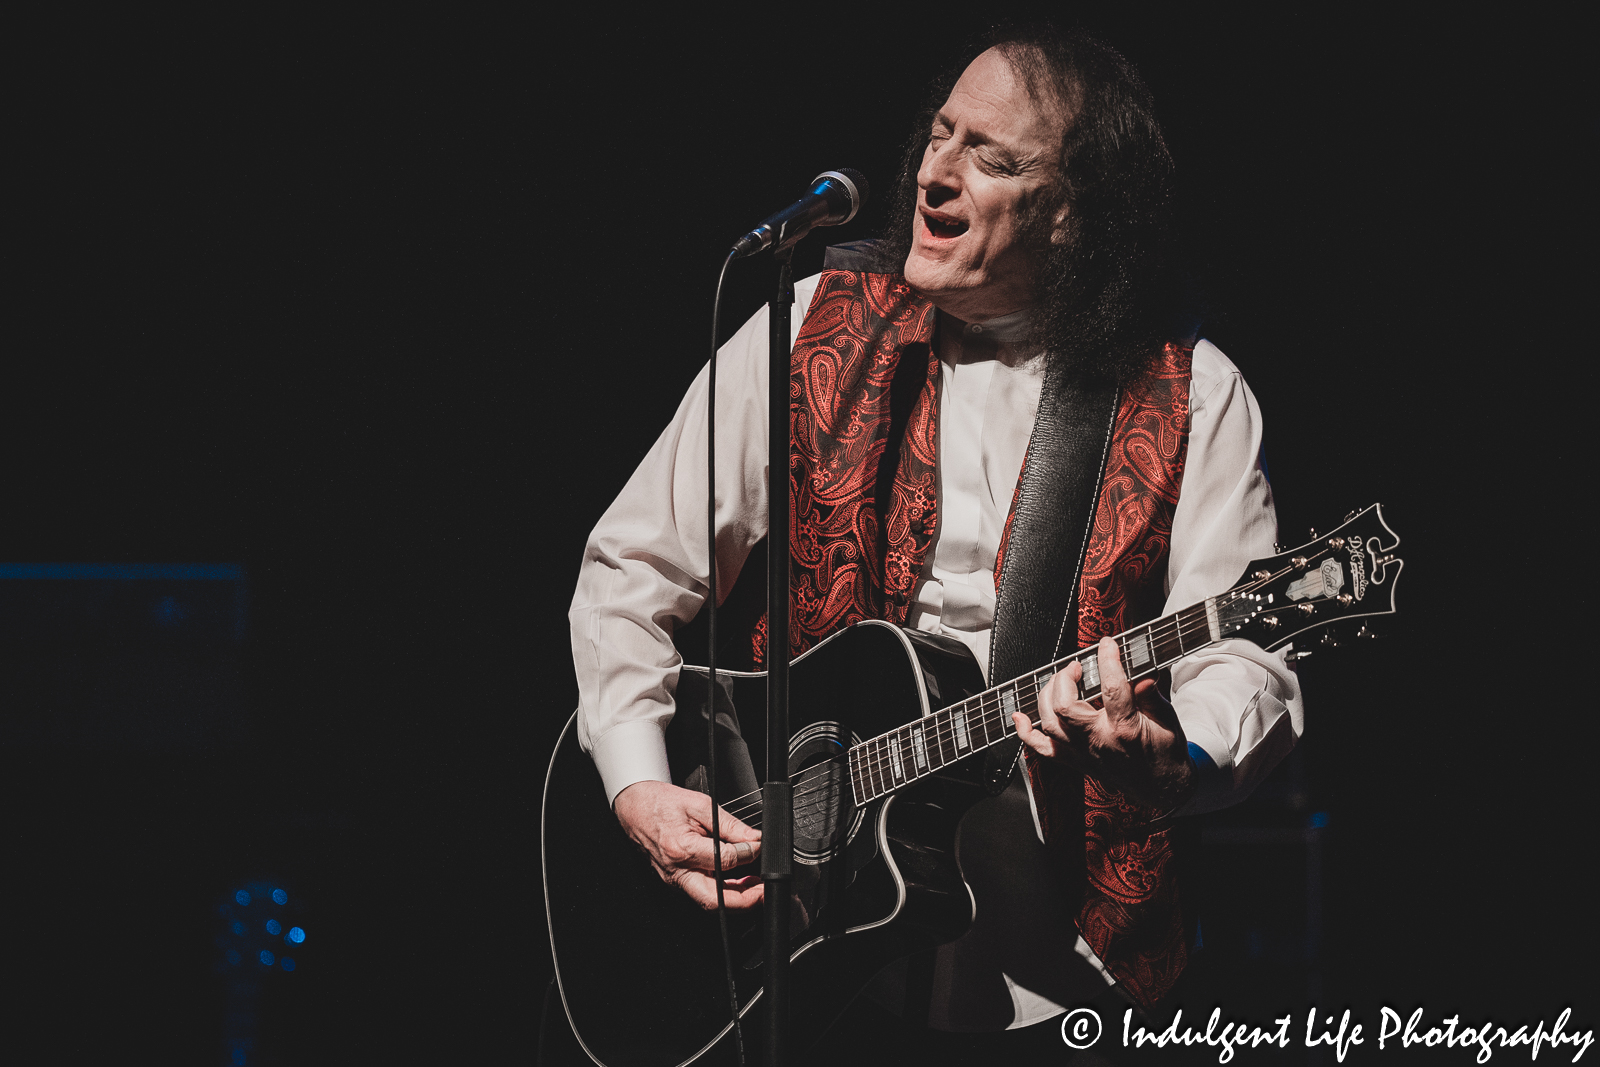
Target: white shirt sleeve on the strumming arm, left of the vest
(646, 565)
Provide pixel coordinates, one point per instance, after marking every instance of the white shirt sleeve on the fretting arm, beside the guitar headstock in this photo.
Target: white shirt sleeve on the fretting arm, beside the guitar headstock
(1239, 705)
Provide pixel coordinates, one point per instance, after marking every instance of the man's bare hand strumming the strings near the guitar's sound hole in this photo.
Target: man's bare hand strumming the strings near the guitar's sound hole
(674, 829)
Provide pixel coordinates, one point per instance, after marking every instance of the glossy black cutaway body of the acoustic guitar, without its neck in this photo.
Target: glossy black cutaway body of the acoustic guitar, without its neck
(641, 965)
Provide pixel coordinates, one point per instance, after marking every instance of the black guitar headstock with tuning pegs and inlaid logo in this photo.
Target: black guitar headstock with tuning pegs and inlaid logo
(1350, 573)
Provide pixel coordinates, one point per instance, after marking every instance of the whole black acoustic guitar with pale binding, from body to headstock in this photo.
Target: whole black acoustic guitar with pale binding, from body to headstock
(887, 729)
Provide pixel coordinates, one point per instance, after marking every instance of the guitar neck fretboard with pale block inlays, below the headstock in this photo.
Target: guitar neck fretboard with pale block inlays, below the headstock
(927, 746)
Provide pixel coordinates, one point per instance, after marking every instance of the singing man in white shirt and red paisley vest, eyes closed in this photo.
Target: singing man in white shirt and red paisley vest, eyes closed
(1006, 434)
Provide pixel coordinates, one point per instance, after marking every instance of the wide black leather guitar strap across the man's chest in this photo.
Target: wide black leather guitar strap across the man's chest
(1036, 605)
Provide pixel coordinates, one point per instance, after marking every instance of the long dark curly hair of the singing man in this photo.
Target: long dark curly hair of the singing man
(1111, 295)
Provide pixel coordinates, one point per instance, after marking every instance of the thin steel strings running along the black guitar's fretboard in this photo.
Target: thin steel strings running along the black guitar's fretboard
(945, 730)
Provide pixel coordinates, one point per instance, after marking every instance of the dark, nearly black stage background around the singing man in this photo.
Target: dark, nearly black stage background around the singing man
(388, 311)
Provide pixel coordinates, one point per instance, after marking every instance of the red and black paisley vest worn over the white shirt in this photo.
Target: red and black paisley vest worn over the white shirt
(862, 532)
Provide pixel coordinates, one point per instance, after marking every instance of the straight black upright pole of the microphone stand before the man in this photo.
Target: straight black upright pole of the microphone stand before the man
(778, 791)
